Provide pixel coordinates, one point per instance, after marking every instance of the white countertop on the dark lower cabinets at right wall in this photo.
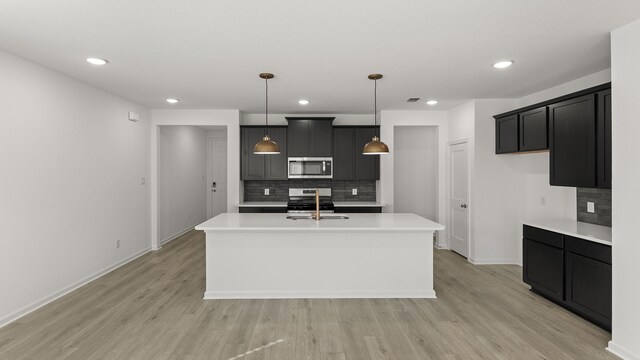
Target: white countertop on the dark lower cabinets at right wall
(582, 230)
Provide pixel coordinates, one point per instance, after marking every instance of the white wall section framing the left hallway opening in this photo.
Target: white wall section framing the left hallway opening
(227, 118)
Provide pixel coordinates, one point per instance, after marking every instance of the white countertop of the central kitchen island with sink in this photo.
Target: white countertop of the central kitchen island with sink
(356, 222)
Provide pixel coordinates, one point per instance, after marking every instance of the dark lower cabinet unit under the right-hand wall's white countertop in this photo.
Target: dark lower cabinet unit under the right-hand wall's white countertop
(577, 276)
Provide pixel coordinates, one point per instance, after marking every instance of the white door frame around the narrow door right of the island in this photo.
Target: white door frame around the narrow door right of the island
(450, 144)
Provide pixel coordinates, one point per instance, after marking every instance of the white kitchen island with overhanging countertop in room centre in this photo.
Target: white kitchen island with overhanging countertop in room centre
(266, 256)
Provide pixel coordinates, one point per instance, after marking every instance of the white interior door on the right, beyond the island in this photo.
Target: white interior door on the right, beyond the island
(459, 198)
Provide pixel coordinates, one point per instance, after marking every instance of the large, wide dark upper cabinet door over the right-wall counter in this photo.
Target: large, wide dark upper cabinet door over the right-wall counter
(572, 141)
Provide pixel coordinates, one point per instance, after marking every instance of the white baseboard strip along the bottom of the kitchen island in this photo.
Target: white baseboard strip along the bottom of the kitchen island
(212, 295)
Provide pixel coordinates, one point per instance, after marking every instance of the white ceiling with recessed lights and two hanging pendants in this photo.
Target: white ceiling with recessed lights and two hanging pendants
(208, 53)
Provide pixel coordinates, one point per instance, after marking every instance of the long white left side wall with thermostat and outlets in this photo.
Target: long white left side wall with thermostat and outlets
(71, 184)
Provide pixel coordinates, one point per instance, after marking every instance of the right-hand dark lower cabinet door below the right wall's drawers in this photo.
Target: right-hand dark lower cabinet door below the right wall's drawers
(588, 289)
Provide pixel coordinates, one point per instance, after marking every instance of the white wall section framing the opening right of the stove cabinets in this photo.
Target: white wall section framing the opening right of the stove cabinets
(390, 120)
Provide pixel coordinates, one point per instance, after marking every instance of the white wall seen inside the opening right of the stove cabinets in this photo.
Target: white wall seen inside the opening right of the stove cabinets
(416, 170)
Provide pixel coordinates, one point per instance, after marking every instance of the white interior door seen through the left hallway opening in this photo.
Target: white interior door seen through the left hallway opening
(217, 203)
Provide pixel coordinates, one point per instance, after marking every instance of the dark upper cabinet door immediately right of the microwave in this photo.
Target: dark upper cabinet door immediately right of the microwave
(344, 156)
